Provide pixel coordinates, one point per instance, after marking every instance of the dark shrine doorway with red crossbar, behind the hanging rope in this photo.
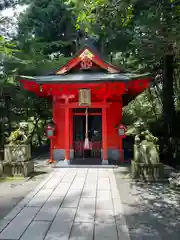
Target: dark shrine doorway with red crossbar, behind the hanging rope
(94, 123)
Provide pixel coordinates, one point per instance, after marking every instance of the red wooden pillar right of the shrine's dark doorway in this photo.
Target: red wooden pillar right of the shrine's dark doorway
(104, 135)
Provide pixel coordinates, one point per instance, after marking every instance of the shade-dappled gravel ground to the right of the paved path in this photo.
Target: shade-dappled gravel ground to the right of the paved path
(152, 211)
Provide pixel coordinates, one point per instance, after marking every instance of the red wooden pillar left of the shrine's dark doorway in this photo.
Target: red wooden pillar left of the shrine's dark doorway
(67, 135)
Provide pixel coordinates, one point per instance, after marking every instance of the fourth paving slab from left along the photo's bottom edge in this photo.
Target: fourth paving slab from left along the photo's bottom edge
(82, 231)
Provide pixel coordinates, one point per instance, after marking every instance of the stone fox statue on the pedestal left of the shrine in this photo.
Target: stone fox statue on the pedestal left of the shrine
(19, 136)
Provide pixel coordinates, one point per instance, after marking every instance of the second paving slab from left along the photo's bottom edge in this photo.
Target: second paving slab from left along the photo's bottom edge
(36, 231)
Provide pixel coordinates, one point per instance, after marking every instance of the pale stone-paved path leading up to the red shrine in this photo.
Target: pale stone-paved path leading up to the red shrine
(72, 203)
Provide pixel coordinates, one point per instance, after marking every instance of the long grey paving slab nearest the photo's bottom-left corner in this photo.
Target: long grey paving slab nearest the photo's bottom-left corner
(17, 226)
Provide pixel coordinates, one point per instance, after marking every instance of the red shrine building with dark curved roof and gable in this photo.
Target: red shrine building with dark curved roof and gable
(88, 95)
